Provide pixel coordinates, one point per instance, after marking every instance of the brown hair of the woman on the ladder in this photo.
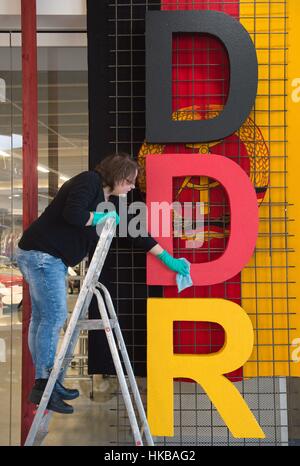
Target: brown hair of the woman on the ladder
(117, 167)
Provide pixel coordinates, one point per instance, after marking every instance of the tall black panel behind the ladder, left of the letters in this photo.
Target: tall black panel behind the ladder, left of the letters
(116, 65)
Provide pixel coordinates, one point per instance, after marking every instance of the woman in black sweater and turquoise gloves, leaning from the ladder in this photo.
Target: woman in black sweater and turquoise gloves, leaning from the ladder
(62, 236)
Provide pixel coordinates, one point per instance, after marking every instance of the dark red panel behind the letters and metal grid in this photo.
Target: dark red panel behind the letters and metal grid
(213, 93)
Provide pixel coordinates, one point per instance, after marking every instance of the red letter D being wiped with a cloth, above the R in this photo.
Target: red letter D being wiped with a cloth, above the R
(243, 209)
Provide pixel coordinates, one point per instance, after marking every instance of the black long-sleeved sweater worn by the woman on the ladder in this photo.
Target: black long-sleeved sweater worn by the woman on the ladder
(60, 230)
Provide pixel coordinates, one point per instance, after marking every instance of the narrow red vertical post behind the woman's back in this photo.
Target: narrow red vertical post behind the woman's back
(30, 184)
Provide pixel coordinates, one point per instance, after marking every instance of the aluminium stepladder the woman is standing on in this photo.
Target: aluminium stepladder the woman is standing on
(109, 323)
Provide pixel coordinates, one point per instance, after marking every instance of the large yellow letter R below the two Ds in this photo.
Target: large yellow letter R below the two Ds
(207, 370)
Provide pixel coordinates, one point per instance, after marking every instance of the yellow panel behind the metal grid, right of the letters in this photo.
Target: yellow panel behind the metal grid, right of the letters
(266, 294)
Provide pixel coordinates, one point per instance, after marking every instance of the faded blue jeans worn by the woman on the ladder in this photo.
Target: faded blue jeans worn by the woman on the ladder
(46, 277)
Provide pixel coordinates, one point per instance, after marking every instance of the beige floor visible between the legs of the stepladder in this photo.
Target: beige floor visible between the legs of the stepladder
(98, 421)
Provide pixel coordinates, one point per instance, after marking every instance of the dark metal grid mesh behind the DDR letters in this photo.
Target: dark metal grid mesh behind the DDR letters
(262, 288)
